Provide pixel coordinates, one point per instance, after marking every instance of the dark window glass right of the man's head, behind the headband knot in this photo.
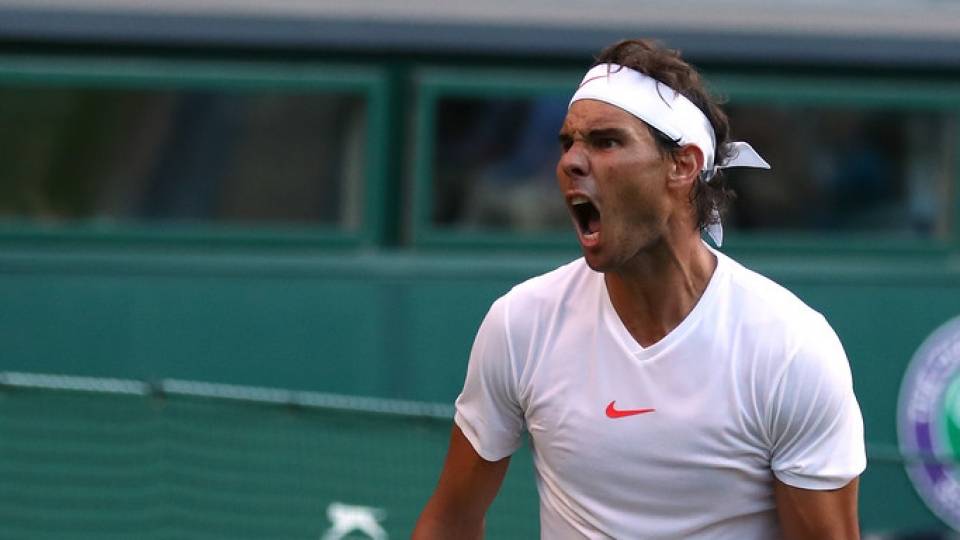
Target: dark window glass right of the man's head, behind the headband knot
(865, 170)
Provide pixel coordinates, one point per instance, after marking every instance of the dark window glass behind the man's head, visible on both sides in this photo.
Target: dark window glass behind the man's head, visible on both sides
(835, 169)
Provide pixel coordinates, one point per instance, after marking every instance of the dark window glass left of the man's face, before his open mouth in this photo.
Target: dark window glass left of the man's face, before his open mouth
(494, 164)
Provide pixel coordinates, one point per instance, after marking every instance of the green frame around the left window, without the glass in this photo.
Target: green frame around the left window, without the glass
(158, 73)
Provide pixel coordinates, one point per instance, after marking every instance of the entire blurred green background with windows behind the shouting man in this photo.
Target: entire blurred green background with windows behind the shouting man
(245, 246)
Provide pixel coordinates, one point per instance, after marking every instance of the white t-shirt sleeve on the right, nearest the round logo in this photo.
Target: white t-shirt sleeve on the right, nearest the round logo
(815, 425)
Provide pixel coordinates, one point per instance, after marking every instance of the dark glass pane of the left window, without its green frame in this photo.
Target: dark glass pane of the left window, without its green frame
(181, 155)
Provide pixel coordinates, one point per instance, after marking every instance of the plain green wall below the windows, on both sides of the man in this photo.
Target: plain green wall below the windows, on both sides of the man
(399, 325)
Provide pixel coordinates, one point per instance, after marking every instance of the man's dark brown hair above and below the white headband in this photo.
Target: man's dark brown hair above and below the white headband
(665, 65)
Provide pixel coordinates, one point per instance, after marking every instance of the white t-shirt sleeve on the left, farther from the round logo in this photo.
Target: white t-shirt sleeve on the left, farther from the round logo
(487, 410)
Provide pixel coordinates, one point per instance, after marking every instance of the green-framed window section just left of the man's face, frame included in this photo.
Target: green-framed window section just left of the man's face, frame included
(485, 158)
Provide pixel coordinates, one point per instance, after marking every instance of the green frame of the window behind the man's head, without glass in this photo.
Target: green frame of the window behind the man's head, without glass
(435, 83)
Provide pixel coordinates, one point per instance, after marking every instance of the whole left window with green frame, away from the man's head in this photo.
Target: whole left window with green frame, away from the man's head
(212, 146)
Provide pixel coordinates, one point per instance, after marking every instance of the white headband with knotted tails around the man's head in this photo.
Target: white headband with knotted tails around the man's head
(669, 112)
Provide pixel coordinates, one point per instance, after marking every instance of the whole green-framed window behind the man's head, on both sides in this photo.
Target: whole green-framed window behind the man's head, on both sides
(864, 159)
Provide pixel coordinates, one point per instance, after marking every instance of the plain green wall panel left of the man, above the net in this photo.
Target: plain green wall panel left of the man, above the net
(380, 325)
